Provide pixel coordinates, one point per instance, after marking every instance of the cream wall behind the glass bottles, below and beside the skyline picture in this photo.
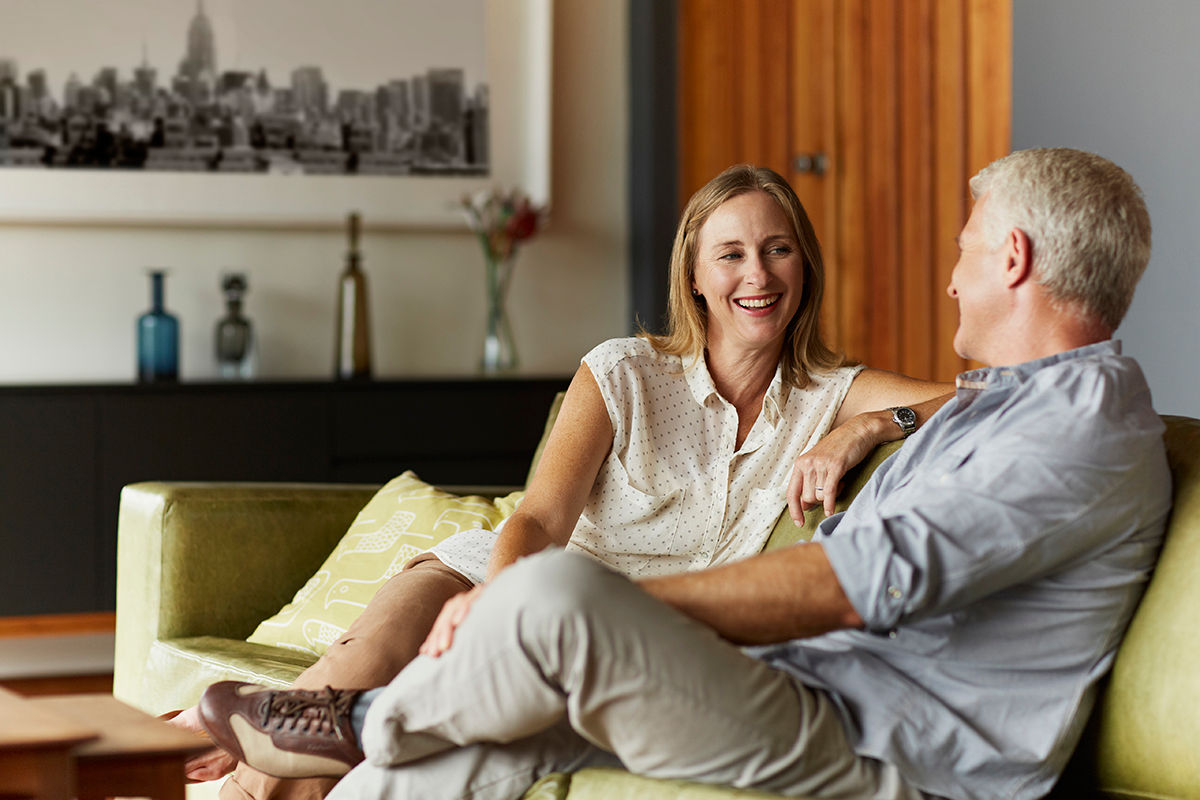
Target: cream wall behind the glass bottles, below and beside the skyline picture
(70, 297)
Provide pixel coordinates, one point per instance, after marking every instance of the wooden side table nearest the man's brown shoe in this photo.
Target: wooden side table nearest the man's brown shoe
(135, 756)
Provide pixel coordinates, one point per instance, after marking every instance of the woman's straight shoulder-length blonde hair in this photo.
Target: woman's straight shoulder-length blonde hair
(805, 352)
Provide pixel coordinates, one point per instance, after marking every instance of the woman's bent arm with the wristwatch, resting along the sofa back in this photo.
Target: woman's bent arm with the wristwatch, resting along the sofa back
(863, 423)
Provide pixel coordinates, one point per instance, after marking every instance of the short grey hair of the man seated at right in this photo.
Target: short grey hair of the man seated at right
(1085, 218)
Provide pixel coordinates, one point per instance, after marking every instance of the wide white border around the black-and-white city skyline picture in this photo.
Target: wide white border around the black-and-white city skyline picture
(519, 40)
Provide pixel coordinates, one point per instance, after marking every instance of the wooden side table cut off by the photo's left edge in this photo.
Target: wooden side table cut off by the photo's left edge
(37, 750)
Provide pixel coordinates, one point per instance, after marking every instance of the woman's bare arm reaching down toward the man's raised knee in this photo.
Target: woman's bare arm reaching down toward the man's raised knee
(578, 446)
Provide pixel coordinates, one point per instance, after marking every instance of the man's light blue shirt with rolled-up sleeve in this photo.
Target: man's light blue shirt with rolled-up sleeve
(997, 561)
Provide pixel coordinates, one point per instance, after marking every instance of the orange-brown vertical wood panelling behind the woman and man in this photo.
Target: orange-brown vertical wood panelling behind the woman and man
(908, 99)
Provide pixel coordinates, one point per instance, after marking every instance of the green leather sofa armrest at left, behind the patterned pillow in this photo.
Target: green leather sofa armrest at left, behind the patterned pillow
(215, 560)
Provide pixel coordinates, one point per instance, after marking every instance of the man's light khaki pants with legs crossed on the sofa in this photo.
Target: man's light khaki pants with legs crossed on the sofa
(563, 664)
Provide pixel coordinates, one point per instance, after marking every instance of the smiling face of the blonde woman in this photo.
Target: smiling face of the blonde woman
(751, 272)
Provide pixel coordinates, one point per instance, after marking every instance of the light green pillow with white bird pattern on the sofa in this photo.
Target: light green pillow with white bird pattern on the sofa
(405, 519)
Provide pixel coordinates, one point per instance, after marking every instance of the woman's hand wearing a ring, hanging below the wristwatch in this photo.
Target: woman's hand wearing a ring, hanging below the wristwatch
(817, 476)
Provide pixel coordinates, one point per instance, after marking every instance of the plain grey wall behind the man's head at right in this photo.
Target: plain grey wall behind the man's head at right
(1123, 80)
